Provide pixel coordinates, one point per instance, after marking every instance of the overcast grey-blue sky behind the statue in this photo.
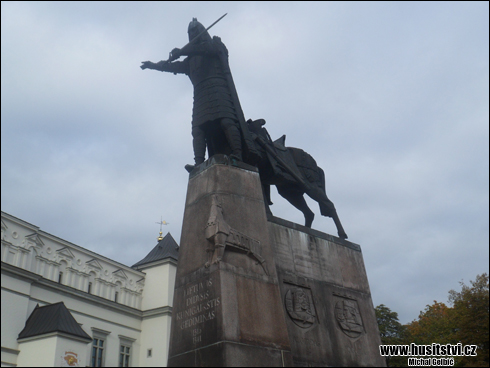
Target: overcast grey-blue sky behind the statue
(390, 98)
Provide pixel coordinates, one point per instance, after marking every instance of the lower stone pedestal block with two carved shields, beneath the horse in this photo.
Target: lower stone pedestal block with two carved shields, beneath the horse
(325, 291)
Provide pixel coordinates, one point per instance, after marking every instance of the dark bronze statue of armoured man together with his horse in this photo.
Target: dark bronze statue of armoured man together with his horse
(219, 125)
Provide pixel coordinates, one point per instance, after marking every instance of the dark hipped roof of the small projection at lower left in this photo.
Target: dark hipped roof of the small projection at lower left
(52, 318)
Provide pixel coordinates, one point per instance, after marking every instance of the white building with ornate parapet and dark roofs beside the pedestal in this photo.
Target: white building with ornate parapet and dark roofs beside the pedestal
(63, 305)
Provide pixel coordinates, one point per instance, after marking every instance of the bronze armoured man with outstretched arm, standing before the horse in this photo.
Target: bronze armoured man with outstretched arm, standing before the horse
(216, 113)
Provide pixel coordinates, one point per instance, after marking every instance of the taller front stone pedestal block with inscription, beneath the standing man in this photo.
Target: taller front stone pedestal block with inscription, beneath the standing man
(227, 308)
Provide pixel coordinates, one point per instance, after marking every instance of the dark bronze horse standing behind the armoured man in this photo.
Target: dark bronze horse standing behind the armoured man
(294, 173)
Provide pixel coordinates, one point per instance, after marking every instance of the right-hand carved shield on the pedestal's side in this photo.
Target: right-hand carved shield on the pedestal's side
(348, 316)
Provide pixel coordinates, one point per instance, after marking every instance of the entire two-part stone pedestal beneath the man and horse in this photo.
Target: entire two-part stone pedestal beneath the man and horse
(252, 291)
